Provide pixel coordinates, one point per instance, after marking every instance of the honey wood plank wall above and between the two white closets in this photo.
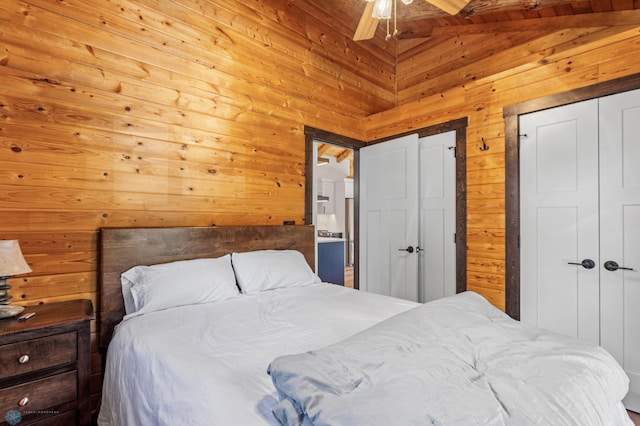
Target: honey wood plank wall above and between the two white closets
(537, 66)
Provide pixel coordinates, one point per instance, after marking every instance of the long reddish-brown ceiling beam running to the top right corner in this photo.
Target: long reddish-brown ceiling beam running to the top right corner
(555, 23)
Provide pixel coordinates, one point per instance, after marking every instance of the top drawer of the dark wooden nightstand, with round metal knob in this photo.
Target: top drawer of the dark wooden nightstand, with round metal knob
(36, 354)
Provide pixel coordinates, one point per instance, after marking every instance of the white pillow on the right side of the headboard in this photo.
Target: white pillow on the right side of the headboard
(261, 270)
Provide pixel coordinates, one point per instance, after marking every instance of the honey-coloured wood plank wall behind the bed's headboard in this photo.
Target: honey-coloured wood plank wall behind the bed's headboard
(161, 113)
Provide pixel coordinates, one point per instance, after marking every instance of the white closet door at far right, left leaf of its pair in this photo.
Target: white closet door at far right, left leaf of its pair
(559, 220)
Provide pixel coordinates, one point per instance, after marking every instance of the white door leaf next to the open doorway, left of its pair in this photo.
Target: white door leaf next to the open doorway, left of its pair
(388, 218)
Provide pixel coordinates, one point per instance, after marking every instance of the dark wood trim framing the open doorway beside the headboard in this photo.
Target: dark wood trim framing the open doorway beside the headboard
(310, 135)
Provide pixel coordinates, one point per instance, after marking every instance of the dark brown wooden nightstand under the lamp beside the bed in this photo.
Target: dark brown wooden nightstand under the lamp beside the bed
(45, 365)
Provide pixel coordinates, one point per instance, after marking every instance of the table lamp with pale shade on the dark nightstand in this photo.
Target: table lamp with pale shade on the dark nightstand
(11, 263)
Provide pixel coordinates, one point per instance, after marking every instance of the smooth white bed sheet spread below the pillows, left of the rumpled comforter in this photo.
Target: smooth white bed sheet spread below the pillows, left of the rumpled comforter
(207, 364)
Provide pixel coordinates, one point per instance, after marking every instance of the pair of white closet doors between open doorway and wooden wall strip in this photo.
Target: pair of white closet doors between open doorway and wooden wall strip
(408, 217)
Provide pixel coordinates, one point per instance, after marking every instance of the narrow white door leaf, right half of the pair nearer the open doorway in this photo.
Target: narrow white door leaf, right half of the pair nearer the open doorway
(437, 216)
